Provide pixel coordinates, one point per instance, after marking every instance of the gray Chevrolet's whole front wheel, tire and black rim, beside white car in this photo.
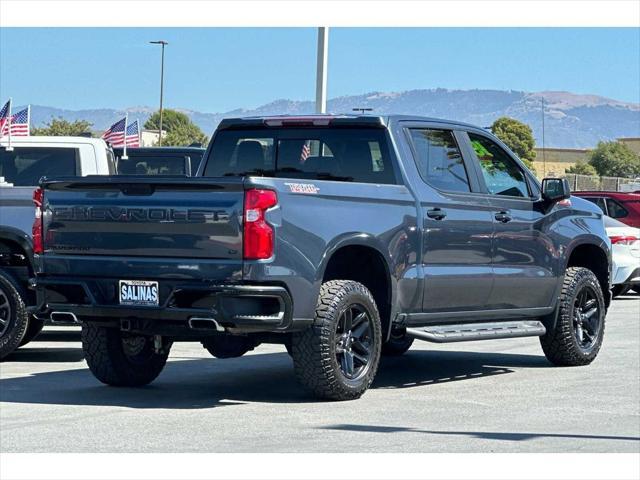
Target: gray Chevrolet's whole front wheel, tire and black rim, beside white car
(579, 328)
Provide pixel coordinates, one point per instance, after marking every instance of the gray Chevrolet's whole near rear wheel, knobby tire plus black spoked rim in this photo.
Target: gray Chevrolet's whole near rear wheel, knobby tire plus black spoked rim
(337, 357)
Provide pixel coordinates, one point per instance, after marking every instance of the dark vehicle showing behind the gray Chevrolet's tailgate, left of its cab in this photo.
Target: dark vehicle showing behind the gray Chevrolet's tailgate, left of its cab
(159, 160)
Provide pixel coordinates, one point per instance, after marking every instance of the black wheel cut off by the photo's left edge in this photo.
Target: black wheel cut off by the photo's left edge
(18, 319)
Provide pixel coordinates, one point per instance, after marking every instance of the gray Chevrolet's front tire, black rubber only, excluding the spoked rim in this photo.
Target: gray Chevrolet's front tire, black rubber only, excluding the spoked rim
(559, 344)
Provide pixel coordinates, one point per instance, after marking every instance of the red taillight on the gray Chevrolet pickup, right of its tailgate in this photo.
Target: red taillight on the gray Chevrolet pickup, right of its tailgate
(258, 234)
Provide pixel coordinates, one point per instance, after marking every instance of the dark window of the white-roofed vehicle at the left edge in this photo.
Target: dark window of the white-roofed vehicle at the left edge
(24, 166)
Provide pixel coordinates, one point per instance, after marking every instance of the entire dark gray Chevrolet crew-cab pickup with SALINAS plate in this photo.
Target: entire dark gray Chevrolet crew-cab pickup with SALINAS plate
(342, 237)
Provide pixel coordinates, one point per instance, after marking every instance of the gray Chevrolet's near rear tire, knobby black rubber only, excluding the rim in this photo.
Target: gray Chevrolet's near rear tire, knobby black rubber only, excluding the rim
(314, 349)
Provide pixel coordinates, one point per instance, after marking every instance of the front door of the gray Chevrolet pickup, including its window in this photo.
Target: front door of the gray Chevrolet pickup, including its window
(524, 256)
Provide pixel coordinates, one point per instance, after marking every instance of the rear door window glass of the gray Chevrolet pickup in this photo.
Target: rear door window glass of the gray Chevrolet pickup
(439, 160)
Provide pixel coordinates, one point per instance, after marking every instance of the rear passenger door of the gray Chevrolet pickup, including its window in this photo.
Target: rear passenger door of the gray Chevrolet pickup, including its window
(457, 224)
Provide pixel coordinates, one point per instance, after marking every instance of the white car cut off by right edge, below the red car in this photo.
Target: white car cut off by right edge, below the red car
(625, 253)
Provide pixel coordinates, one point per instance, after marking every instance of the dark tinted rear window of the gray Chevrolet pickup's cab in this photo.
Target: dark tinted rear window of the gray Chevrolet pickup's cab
(350, 155)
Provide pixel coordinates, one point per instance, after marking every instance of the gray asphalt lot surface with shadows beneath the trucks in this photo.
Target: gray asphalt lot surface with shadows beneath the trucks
(492, 396)
